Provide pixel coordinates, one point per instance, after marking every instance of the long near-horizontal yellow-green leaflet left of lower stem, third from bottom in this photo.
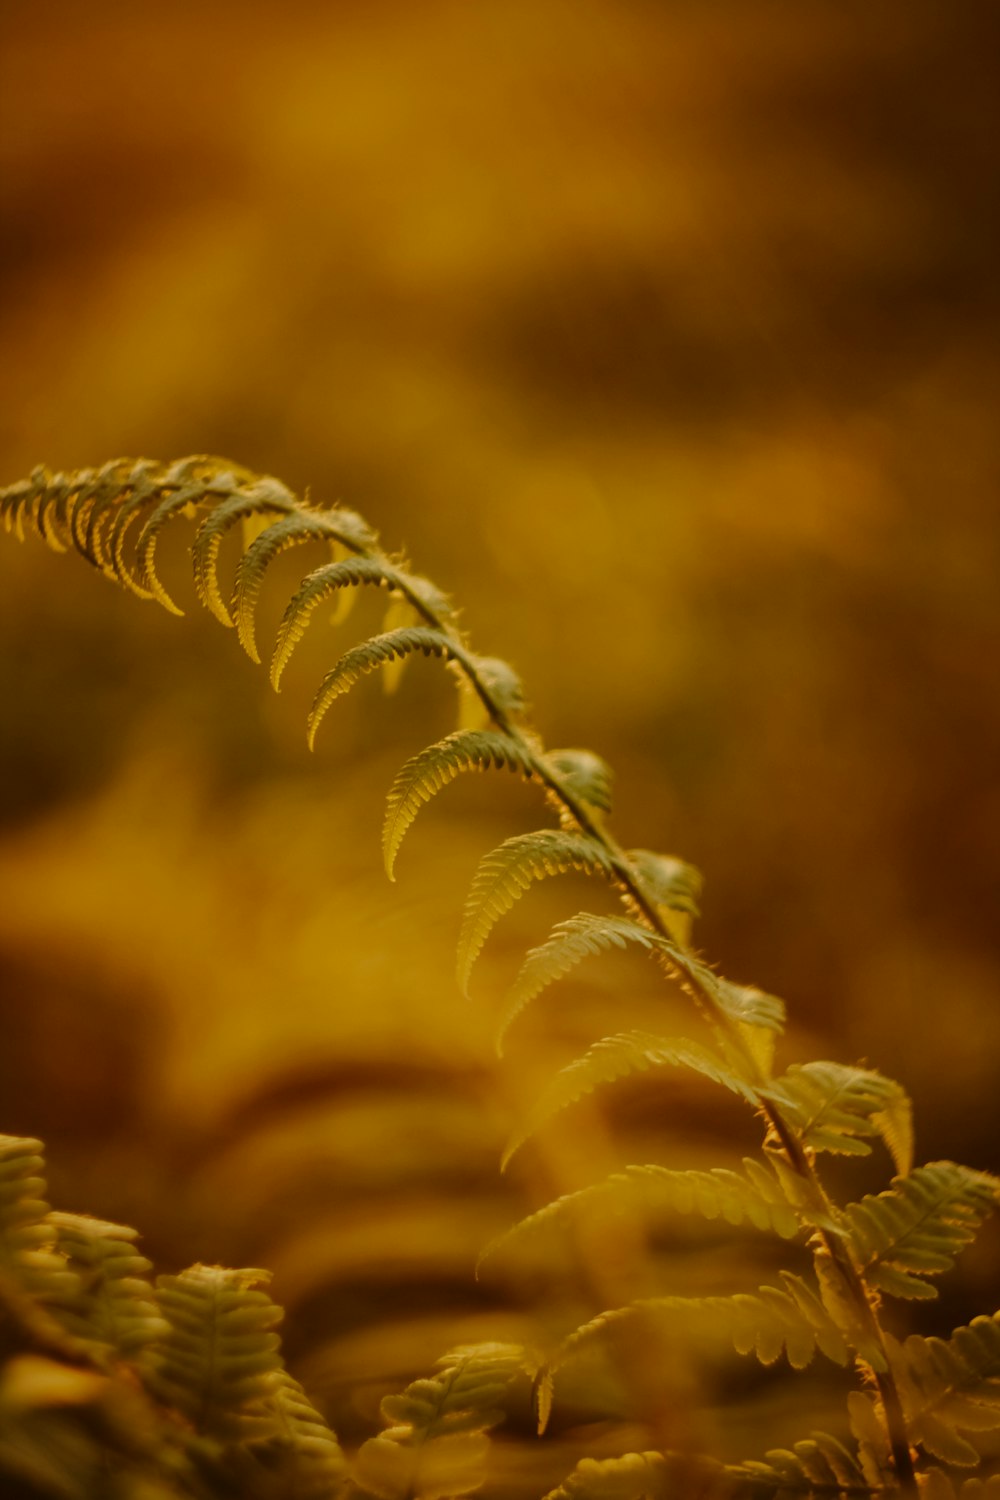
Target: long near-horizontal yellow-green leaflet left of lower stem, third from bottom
(752, 1196)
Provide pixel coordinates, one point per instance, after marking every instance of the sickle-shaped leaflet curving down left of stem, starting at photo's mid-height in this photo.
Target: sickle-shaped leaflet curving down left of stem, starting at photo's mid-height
(433, 769)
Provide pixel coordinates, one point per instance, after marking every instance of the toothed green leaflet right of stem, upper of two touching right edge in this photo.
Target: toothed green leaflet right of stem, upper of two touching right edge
(918, 1226)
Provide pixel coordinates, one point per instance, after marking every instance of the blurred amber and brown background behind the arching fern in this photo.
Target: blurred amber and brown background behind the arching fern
(663, 337)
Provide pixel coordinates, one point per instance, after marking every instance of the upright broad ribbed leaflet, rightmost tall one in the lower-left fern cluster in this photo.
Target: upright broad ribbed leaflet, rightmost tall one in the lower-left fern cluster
(220, 1363)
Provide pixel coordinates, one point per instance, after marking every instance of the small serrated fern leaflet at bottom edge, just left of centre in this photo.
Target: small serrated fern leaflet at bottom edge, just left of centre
(437, 1445)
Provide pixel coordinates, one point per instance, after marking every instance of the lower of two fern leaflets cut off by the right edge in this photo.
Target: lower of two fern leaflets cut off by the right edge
(951, 1388)
